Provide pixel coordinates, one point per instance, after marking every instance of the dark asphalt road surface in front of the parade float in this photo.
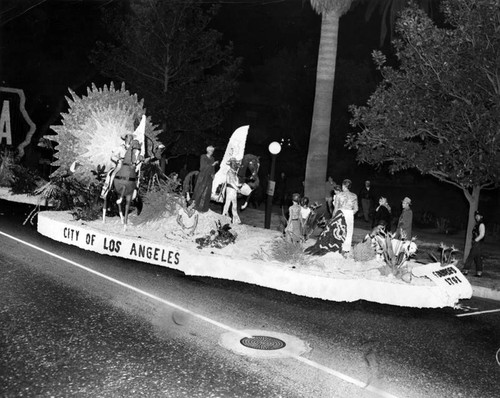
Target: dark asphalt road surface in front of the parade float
(74, 323)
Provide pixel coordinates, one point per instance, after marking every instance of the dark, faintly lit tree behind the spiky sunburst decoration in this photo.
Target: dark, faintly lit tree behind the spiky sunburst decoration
(167, 53)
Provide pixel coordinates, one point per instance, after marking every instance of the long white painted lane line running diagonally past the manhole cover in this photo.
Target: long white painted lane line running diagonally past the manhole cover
(306, 361)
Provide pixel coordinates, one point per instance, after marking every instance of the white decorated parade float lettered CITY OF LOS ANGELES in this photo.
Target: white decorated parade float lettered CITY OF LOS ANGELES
(164, 229)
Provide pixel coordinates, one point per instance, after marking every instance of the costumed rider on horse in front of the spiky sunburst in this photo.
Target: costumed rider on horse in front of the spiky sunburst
(125, 176)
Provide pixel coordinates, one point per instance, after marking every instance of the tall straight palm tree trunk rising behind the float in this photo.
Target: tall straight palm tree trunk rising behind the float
(317, 156)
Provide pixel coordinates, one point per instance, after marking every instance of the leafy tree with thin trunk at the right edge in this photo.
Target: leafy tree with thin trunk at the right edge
(439, 111)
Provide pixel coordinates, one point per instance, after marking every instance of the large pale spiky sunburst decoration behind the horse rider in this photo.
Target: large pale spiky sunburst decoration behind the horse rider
(93, 128)
